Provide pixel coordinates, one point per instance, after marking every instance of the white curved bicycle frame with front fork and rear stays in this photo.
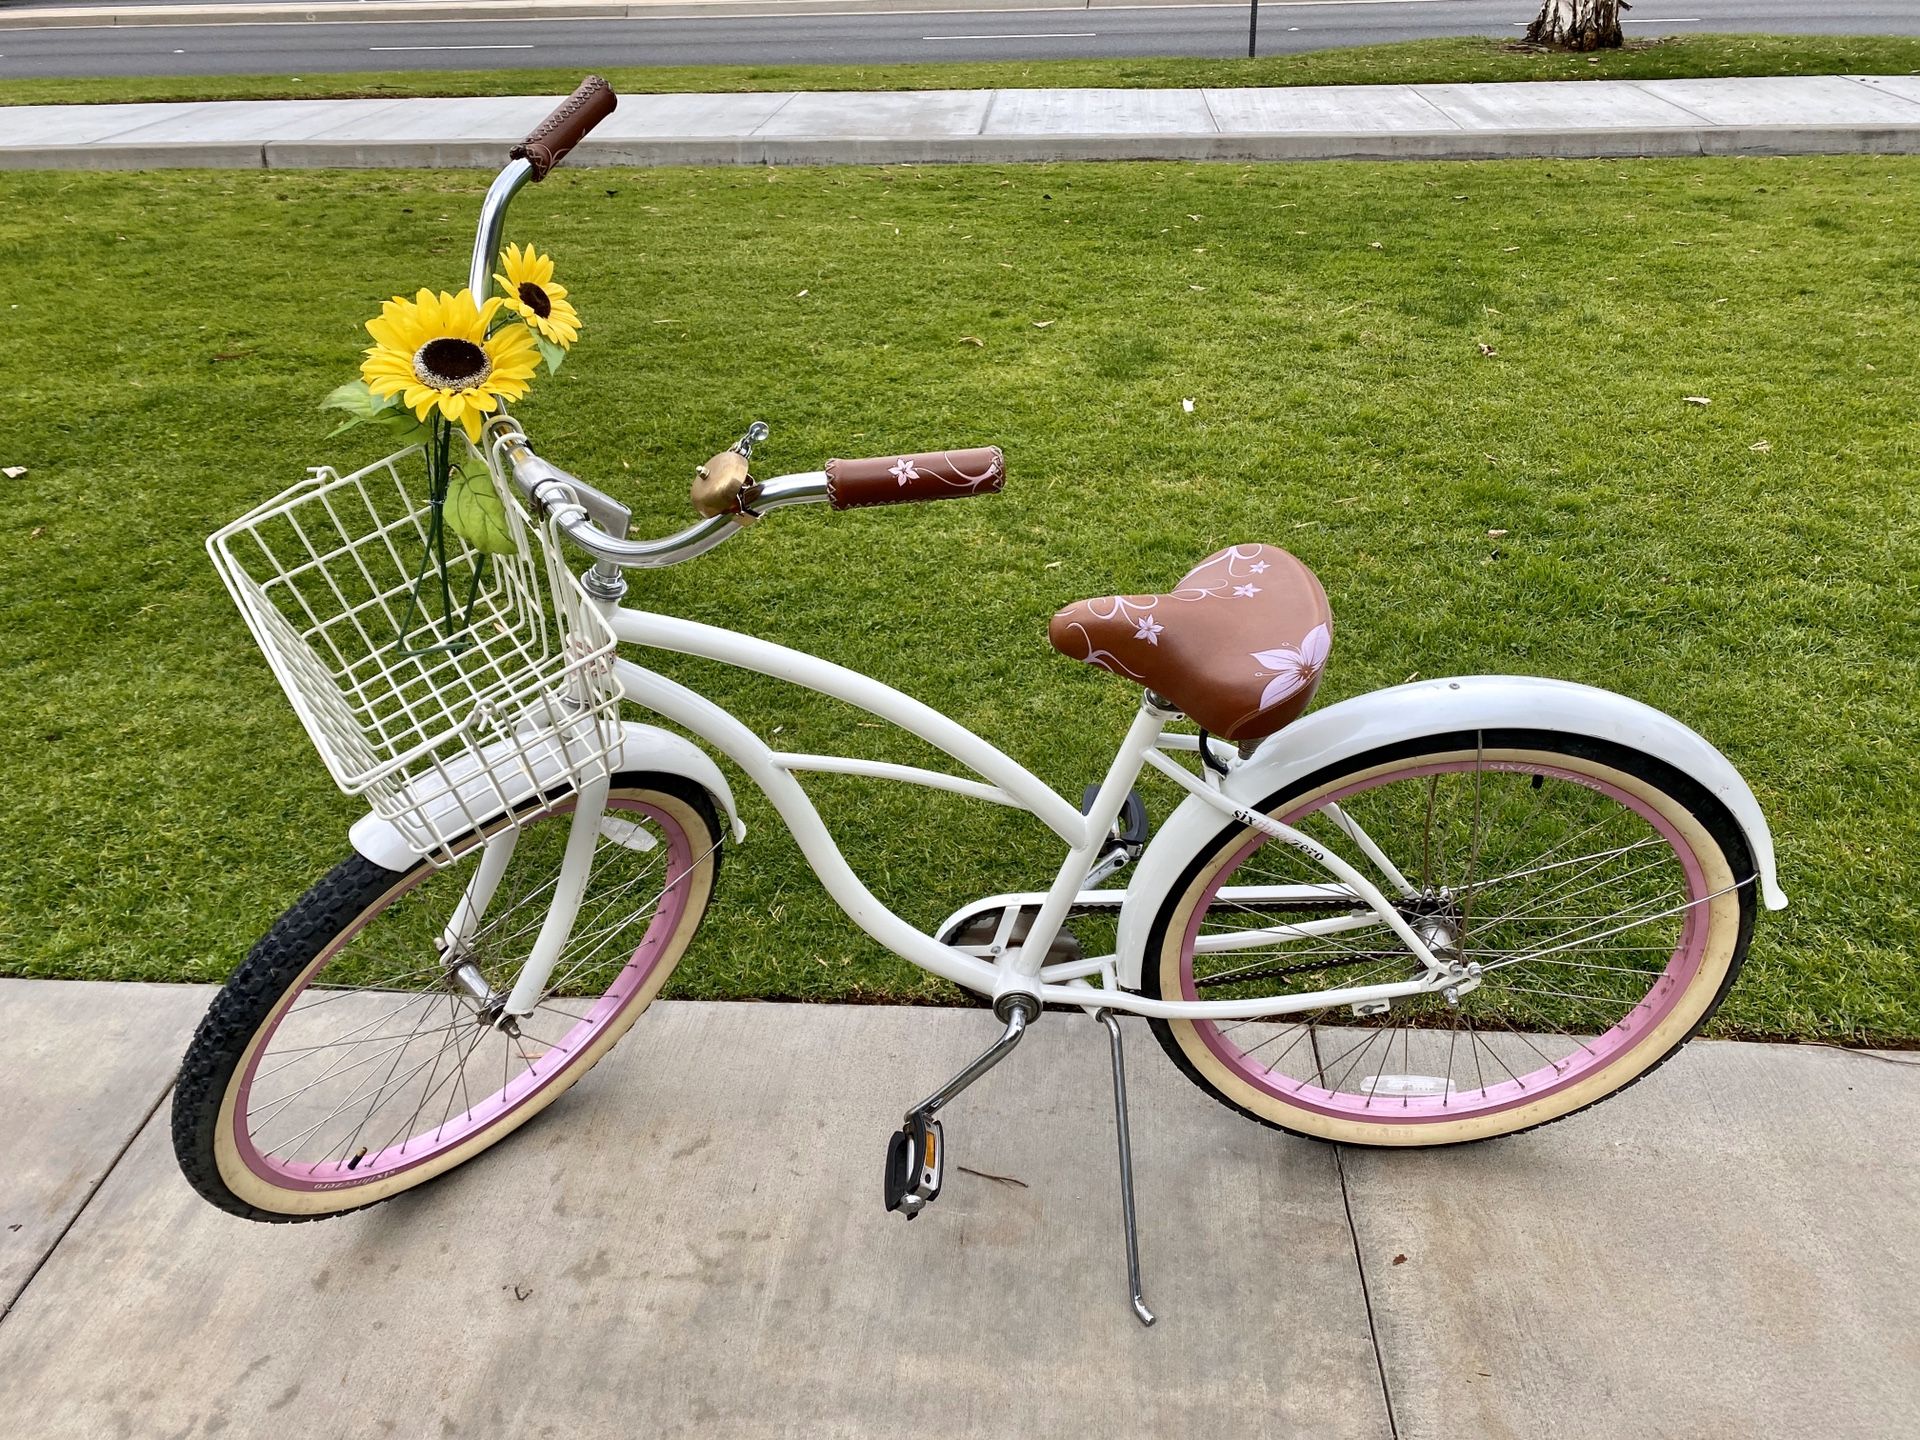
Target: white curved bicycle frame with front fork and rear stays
(1009, 969)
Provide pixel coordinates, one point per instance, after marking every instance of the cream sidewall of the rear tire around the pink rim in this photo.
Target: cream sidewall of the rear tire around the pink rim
(1723, 938)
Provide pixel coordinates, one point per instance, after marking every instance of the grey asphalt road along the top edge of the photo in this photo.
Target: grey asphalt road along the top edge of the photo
(865, 37)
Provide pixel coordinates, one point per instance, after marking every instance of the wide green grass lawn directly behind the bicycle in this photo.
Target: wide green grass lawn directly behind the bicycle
(1750, 565)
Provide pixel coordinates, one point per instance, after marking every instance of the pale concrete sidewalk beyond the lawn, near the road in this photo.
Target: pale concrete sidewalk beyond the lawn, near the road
(1823, 114)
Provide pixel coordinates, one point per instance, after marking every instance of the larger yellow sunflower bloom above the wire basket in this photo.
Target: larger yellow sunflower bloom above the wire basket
(435, 350)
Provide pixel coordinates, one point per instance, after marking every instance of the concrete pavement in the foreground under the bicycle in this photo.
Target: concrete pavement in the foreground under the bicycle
(692, 1243)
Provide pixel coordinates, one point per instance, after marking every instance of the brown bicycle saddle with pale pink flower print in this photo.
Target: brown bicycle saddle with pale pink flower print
(1239, 646)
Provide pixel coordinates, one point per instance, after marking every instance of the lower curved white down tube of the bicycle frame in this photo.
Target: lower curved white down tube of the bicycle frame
(817, 844)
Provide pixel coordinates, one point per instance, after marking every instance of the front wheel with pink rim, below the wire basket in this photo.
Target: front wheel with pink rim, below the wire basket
(356, 1053)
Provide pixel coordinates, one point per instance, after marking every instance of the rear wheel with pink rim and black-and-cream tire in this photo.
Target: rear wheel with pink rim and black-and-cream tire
(1600, 900)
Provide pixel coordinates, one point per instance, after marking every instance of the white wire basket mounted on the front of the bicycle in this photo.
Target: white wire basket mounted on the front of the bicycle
(448, 696)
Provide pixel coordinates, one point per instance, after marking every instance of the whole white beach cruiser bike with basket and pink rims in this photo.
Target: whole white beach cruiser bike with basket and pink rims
(1433, 915)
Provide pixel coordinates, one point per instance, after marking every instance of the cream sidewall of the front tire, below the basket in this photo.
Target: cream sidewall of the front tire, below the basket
(266, 1195)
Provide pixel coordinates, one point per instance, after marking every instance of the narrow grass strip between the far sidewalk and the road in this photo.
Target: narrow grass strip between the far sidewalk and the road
(1412, 62)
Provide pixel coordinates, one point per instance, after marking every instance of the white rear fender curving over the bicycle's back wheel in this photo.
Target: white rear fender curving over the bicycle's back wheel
(1433, 708)
